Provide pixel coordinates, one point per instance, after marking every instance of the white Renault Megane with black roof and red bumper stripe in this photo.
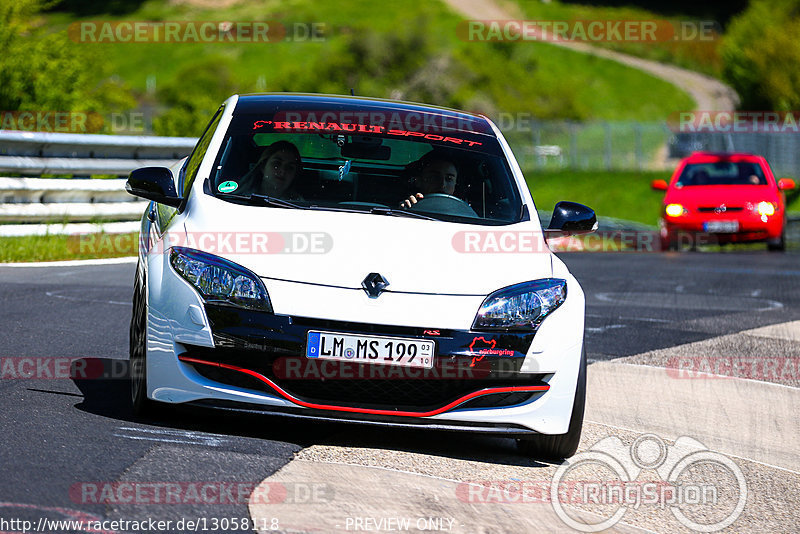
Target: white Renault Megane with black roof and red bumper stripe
(360, 260)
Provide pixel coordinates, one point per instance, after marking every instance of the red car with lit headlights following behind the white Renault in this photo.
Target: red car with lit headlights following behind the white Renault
(723, 198)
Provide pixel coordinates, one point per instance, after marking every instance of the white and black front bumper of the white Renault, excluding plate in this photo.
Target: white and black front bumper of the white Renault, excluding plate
(238, 359)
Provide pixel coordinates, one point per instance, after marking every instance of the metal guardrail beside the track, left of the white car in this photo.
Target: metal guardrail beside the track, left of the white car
(60, 205)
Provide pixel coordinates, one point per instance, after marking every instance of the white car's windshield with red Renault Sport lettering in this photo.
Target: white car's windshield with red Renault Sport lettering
(459, 176)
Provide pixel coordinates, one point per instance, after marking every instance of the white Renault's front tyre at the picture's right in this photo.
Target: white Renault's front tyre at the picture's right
(559, 446)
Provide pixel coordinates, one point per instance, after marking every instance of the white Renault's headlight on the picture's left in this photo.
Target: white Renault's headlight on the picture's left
(219, 280)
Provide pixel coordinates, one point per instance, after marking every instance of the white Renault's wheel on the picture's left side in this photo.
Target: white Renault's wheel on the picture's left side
(138, 347)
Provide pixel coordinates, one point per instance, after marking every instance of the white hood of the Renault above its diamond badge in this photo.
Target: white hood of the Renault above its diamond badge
(340, 249)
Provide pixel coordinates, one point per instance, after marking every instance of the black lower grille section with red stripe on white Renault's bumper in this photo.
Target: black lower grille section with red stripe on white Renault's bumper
(265, 353)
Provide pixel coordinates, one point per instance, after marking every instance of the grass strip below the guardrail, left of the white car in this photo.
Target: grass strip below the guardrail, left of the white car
(67, 247)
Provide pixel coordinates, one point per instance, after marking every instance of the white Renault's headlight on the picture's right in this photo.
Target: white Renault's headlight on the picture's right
(522, 306)
